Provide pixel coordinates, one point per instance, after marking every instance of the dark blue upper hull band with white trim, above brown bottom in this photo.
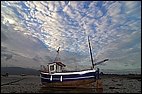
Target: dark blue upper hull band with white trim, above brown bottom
(61, 77)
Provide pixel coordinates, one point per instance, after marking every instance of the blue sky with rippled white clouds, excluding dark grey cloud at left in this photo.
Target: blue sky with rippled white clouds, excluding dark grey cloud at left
(114, 27)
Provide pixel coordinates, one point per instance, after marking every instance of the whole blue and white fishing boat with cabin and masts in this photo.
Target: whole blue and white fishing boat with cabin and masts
(53, 75)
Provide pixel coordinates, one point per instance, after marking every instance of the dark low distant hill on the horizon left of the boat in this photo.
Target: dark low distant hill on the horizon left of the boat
(18, 71)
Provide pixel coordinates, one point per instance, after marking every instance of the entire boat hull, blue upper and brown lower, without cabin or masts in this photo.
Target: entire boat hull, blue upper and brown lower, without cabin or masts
(69, 80)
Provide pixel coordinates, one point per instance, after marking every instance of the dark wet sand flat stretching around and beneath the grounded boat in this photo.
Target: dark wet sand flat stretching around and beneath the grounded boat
(110, 84)
